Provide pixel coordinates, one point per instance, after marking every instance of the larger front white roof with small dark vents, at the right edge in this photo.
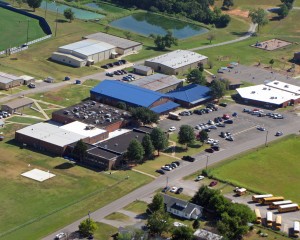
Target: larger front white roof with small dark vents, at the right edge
(264, 93)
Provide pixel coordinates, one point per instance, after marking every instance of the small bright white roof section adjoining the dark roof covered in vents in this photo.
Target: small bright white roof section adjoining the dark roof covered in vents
(81, 129)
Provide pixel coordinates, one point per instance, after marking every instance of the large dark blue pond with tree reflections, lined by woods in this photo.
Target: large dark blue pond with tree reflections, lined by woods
(147, 23)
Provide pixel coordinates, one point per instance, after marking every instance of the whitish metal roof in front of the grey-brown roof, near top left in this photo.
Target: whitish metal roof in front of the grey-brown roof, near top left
(88, 47)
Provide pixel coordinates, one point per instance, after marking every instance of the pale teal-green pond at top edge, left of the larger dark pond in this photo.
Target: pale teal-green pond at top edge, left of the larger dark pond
(79, 13)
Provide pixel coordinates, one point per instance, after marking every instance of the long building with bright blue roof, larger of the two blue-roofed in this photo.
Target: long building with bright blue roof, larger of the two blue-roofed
(114, 92)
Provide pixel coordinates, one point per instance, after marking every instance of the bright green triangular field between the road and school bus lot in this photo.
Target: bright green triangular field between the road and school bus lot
(274, 169)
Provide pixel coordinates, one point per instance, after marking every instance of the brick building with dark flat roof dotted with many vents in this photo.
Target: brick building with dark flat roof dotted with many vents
(93, 113)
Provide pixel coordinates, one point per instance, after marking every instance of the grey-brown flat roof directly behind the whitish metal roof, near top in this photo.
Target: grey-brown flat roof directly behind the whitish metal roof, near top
(114, 40)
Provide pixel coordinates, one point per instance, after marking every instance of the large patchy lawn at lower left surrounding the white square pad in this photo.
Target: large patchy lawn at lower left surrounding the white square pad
(37, 209)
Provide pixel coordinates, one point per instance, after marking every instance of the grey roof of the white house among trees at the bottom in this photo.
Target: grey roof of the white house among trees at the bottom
(181, 205)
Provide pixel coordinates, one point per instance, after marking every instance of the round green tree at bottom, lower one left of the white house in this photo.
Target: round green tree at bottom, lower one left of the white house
(159, 222)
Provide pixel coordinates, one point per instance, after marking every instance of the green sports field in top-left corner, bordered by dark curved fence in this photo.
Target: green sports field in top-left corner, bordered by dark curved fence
(14, 28)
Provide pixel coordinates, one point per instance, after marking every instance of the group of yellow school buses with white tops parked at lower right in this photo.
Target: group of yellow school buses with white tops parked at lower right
(282, 206)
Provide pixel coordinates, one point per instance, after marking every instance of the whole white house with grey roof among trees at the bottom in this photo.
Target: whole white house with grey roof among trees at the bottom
(182, 208)
